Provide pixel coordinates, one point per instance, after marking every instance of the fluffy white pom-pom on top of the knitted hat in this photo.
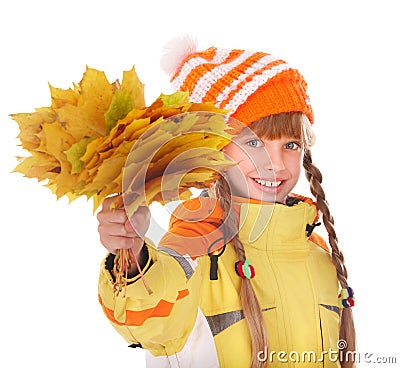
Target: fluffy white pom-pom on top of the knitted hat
(175, 52)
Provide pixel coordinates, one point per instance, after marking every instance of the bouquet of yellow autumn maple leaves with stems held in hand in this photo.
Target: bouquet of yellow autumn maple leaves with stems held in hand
(99, 139)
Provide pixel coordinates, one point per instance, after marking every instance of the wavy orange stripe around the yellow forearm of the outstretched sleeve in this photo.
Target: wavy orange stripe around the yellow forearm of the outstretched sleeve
(137, 318)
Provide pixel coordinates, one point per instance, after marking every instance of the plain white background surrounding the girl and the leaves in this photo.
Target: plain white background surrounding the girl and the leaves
(50, 251)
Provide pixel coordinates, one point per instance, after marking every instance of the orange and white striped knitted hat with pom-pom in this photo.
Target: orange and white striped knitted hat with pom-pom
(249, 84)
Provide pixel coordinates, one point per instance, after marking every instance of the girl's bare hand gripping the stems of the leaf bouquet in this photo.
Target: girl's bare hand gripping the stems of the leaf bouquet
(117, 232)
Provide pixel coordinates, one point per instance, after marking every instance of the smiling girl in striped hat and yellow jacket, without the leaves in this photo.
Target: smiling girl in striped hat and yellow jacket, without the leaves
(265, 292)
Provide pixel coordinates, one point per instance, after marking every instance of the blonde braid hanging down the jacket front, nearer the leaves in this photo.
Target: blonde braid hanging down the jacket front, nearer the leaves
(251, 307)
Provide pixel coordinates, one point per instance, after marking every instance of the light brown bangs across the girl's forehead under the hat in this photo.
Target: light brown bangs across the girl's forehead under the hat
(289, 124)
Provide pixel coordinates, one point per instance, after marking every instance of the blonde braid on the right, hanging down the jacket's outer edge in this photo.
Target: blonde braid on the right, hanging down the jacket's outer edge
(347, 331)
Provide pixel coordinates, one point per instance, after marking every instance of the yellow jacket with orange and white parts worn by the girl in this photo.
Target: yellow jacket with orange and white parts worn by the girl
(191, 320)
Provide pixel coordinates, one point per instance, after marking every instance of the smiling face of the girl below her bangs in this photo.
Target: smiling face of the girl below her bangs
(266, 170)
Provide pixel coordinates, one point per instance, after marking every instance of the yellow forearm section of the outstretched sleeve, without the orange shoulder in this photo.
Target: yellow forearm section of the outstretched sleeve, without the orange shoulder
(161, 321)
